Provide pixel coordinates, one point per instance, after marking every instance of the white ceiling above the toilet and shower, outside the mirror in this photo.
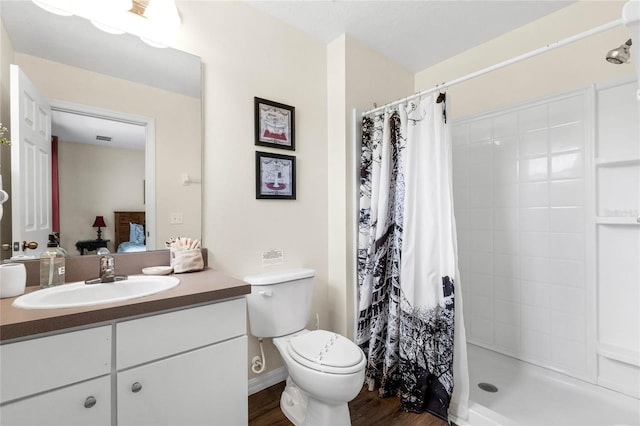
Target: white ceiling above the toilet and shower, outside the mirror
(415, 34)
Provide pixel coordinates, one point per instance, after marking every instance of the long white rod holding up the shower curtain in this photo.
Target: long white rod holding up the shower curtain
(503, 64)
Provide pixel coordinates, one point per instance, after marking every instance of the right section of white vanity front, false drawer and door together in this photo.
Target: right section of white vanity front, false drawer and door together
(183, 368)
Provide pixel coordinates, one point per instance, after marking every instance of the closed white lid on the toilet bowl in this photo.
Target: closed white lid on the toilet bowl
(326, 351)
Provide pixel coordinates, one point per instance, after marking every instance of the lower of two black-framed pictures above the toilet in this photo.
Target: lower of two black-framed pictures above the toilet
(275, 176)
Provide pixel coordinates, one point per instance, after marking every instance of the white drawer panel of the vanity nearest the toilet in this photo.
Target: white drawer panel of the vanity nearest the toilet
(147, 339)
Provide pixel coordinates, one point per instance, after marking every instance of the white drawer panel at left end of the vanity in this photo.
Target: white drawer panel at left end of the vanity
(53, 361)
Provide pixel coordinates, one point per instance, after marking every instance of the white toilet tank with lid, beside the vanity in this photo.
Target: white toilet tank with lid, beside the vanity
(280, 302)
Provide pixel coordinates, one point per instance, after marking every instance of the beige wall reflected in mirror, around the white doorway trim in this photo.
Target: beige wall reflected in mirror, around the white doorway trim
(177, 130)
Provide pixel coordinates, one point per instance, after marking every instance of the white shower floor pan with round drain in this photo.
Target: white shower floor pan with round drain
(529, 395)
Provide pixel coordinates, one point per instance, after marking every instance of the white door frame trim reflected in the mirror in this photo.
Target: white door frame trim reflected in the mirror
(149, 156)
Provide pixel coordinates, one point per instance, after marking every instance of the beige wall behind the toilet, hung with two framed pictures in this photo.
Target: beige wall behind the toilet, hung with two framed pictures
(245, 54)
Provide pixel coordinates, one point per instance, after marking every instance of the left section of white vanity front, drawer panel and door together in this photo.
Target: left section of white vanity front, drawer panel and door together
(61, 379)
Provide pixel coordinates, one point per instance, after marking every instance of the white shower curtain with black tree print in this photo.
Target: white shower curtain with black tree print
(410, 312)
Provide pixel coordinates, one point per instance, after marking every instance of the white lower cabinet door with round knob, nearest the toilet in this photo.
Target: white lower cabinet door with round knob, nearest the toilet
(207, 386)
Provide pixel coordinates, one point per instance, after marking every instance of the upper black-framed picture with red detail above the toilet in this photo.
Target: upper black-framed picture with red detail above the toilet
(274, 124)
